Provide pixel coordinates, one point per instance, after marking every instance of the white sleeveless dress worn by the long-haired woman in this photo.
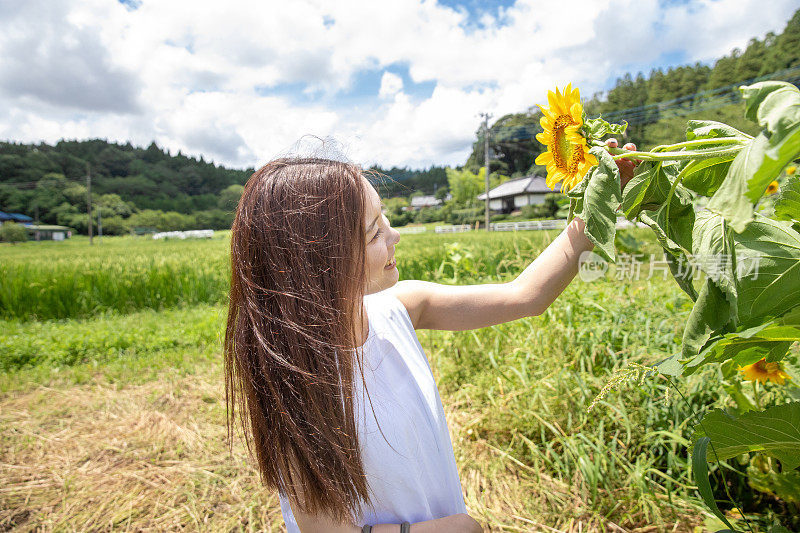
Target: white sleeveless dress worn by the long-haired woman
(414, 477)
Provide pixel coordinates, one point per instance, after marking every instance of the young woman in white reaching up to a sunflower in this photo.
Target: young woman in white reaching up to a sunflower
(334, 391)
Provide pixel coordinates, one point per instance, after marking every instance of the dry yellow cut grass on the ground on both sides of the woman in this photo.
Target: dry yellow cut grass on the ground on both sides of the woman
(99, 457)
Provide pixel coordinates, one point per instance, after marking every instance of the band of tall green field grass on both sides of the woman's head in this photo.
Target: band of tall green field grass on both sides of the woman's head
(44, 281)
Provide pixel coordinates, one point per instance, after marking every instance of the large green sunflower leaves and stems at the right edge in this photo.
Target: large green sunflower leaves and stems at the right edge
(748, 306)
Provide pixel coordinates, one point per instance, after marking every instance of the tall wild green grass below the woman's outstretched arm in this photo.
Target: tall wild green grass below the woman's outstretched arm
(527, 386)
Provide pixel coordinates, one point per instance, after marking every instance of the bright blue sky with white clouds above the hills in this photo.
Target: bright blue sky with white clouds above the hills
(394, 82)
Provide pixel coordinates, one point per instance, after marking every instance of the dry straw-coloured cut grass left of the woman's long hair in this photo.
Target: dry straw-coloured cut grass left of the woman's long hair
(147, 457)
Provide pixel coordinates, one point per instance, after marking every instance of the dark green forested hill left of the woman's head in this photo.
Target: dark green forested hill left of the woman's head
(125, 180)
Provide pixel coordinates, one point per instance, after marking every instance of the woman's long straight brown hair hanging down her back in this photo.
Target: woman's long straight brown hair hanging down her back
(297, 270)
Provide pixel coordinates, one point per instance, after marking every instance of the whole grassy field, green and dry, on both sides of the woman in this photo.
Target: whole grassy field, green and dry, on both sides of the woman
(112, 399)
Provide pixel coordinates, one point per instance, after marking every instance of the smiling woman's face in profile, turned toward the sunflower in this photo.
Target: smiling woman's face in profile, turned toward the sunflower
(380, 240)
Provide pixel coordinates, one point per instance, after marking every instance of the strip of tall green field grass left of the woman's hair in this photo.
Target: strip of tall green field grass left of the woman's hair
(80, 280)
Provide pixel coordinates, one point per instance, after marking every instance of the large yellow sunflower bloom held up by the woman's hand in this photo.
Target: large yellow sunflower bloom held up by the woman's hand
(567, 157)
